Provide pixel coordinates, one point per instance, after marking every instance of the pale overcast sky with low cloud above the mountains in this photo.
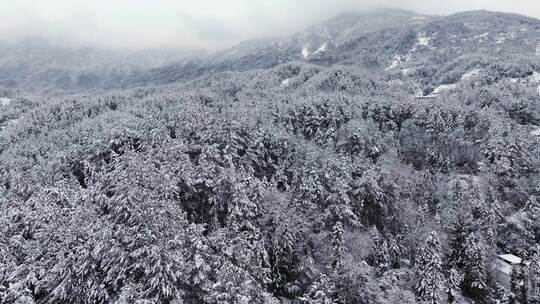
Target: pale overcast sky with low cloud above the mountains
(208, 24)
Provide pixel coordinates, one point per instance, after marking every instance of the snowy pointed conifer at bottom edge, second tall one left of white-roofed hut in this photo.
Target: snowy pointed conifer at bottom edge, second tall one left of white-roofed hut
(428, 268)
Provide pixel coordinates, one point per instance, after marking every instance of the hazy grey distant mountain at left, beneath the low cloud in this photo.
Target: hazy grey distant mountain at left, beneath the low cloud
(37, 65)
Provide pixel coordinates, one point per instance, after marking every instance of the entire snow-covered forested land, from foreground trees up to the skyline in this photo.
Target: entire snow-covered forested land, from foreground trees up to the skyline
(381, 157)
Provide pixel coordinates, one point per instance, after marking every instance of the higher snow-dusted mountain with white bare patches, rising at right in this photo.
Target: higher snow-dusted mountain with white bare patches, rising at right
(419, 44)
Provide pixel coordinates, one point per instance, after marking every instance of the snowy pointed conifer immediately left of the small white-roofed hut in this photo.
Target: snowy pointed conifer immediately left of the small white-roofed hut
(474, 268)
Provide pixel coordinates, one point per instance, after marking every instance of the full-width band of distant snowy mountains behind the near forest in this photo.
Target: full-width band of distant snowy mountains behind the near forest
(425, 52)
